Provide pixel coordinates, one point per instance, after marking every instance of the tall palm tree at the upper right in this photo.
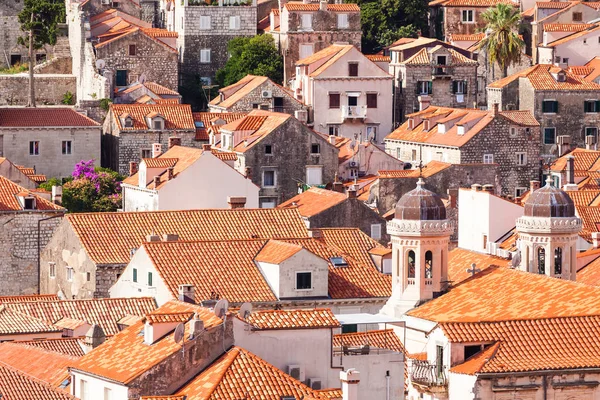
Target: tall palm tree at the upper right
(502, 42)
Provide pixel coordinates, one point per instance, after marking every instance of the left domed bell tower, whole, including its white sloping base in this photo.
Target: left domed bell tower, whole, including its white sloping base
(420, 234)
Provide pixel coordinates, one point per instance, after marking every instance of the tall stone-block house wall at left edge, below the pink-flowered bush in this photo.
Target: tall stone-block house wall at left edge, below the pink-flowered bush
(19, 249)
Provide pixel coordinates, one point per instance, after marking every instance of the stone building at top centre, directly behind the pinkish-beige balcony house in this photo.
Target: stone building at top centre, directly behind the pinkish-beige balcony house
(301, 29)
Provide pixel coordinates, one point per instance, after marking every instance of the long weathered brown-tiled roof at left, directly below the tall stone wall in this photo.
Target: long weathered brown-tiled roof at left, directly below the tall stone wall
(103, 312)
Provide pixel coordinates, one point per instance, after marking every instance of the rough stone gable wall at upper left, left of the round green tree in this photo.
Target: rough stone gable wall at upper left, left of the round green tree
(155, 60)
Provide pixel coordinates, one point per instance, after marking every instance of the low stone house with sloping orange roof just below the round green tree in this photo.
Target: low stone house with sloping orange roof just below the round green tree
(257, 92)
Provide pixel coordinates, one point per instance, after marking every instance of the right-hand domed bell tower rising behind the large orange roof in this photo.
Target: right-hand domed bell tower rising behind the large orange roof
(548, 233)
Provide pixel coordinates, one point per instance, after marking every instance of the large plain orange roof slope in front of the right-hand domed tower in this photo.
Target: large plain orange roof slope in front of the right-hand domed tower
(503, 294)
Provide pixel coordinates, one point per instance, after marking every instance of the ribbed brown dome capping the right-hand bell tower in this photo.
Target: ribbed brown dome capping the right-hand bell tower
(549, 202)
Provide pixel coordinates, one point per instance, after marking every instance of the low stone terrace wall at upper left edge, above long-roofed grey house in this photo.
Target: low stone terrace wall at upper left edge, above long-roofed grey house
(49, 89)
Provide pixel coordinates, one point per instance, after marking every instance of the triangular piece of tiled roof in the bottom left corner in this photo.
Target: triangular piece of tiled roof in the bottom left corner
(16, 385)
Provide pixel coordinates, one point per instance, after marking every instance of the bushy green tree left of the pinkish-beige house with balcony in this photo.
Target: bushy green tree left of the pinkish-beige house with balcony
(251, 55)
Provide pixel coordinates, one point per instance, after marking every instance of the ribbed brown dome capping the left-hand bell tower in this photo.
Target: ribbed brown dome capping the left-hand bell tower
(421, 205)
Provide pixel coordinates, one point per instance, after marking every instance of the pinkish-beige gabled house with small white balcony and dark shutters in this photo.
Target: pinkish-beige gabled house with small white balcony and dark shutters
(349, 95)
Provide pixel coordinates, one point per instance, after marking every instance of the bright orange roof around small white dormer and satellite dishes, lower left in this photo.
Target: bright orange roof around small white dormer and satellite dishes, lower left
(107, 360)
